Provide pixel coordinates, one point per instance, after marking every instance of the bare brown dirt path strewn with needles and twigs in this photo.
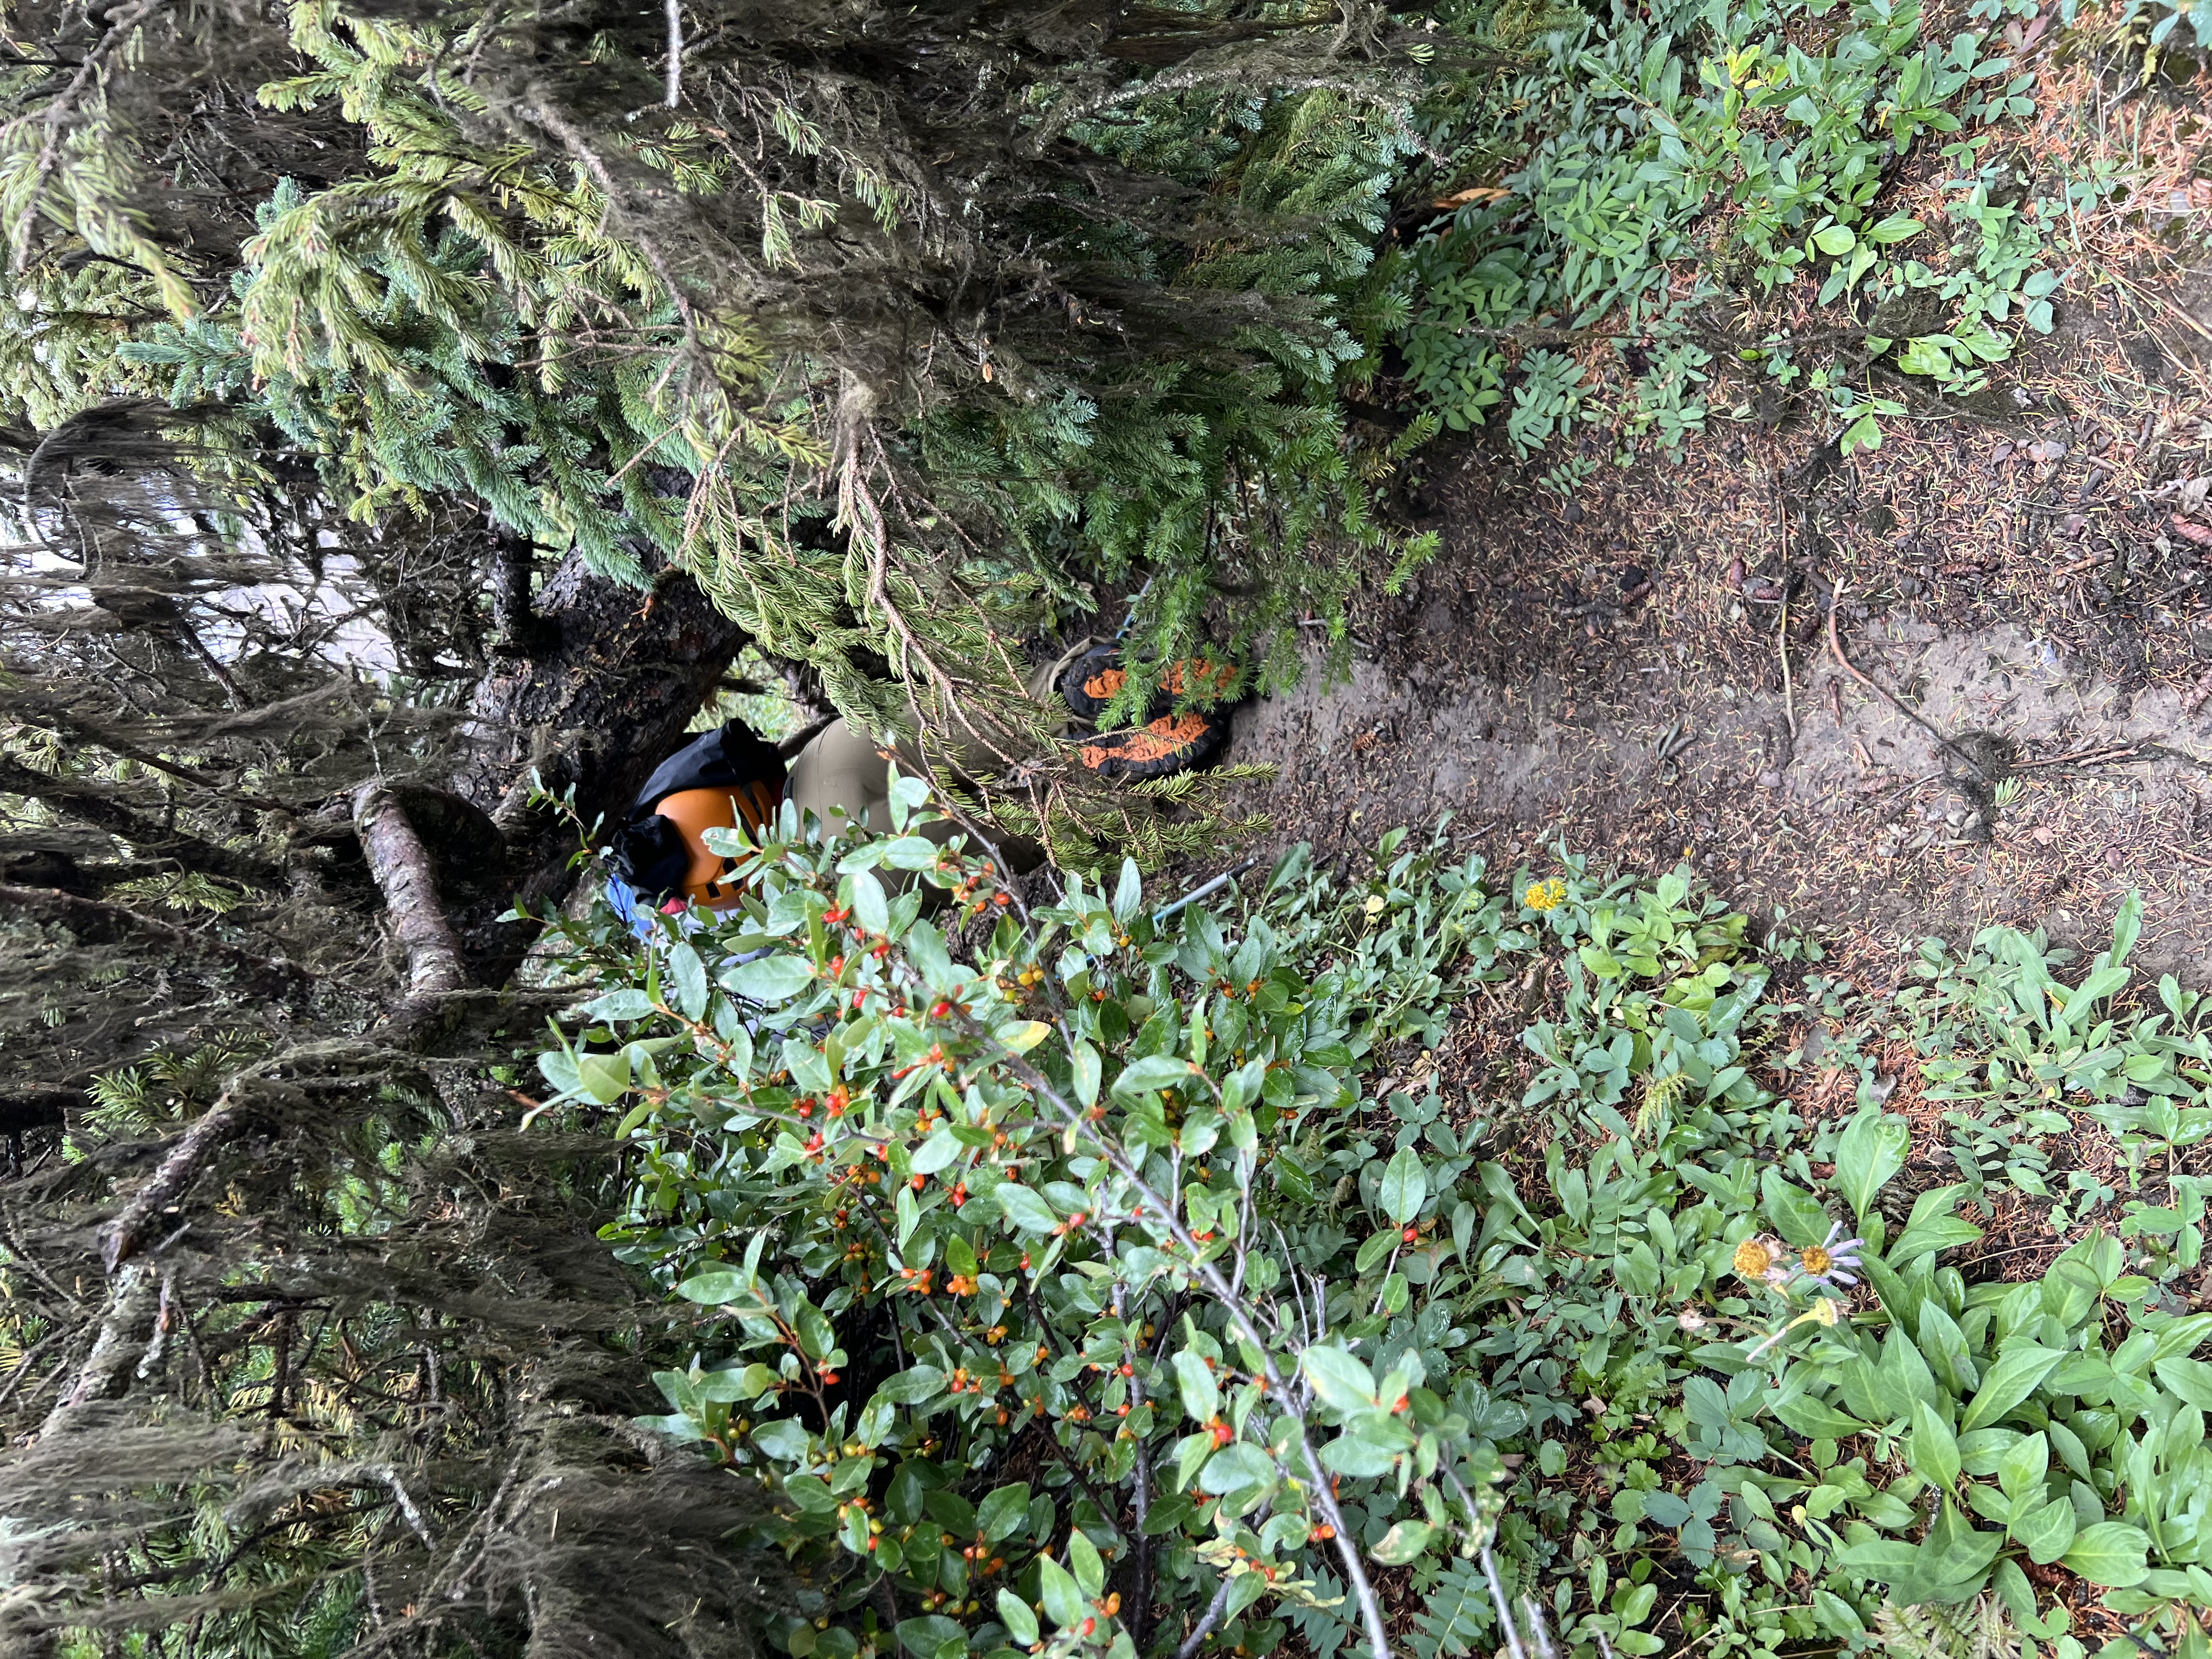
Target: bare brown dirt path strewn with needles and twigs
(1642, 674)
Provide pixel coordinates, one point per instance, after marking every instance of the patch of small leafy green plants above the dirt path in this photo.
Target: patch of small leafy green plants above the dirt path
(1678, 156)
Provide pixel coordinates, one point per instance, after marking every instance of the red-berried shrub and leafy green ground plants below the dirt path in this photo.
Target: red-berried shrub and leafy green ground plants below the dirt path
(1112, 1275)
